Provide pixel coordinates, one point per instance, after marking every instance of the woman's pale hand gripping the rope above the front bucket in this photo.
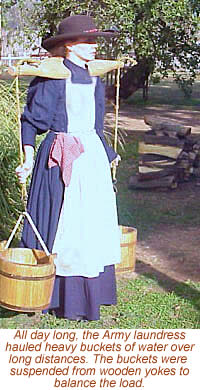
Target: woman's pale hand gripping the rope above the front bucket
(23, 171)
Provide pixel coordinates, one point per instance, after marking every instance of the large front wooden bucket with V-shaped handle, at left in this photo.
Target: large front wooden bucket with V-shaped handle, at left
(26, 275)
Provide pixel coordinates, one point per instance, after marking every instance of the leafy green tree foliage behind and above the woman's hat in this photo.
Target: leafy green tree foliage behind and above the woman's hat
(162, 33)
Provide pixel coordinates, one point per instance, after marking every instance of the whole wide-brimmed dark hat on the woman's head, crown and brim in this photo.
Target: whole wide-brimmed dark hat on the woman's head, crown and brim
(73, 27)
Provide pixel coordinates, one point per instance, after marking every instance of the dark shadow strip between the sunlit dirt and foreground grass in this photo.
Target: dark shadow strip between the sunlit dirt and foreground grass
(183, 290)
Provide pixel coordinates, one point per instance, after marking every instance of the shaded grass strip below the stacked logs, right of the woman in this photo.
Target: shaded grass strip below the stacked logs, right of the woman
(147, 209)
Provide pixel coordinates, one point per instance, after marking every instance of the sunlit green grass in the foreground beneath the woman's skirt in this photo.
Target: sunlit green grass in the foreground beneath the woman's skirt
(142, 303)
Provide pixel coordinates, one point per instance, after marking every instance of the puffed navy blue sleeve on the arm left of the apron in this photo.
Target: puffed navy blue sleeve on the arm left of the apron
(39, 110)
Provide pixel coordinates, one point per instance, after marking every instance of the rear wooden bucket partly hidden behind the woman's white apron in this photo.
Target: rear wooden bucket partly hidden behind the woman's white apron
(128, 239)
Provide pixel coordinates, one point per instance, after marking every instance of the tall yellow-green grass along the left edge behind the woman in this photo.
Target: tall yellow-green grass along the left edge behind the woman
(10, 196)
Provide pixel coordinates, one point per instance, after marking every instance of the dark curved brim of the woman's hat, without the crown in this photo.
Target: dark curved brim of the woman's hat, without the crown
(50, 43)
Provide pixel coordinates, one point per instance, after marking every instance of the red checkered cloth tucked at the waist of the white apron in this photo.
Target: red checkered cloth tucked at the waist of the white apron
(64, 150)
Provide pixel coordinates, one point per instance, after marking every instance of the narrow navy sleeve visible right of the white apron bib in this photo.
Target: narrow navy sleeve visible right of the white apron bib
(99, 121)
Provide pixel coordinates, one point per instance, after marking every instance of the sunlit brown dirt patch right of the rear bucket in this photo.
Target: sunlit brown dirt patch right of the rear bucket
(170, 253)
